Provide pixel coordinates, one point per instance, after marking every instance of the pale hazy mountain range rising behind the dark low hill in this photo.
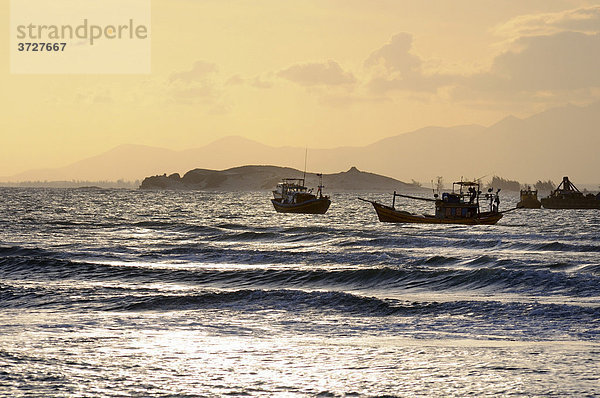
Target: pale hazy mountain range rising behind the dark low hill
(548, 145)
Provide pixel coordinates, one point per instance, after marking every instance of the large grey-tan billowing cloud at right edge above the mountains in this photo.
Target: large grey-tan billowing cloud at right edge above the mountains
(541, 69)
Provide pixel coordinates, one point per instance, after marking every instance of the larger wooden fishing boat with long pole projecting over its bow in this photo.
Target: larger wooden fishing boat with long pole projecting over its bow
(461, 206)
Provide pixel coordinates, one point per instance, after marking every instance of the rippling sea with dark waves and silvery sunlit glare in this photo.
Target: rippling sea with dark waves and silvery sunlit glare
(133, 293)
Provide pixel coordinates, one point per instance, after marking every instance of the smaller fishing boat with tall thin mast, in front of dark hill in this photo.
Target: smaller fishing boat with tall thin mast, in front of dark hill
(292, 196)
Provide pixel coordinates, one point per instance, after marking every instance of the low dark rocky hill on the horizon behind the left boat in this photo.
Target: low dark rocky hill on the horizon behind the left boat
(258, 178)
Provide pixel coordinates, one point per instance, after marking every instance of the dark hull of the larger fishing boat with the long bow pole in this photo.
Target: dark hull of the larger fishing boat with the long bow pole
(388, 214)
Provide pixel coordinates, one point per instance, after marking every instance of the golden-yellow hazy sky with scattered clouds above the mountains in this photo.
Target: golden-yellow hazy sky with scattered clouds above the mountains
(321, 74)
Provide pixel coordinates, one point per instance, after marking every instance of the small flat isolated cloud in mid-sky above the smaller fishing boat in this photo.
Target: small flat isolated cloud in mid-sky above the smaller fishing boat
(318, 74)
